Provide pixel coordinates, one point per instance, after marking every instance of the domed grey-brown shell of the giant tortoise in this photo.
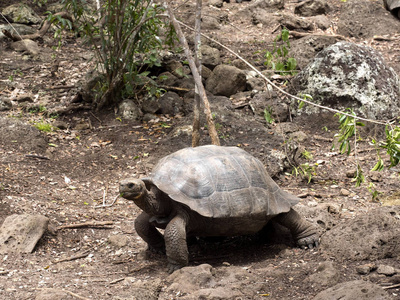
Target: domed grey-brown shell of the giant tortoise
(221, 182)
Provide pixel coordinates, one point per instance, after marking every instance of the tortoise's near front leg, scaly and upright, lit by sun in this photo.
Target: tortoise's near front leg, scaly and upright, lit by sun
(175, 243)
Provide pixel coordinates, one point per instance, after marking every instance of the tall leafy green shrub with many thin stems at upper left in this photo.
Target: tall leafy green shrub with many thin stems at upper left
(125, 37)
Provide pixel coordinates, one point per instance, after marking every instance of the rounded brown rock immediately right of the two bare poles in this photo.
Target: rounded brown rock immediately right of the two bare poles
(226, 80)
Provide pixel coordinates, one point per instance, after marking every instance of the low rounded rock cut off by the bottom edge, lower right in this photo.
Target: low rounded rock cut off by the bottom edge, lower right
(353, 290)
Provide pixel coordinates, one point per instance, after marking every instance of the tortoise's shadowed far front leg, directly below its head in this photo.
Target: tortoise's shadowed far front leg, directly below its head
(149, 233)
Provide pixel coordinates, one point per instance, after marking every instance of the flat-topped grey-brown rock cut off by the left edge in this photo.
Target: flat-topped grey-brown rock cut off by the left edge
(20, 233)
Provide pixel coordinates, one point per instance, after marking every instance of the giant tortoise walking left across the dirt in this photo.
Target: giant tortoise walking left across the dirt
(210, 191)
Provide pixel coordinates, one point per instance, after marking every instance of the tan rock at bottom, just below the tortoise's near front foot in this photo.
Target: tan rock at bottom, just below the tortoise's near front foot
(189, 279)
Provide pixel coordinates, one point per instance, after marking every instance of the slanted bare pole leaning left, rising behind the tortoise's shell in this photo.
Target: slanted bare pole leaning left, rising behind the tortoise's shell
(196, 76)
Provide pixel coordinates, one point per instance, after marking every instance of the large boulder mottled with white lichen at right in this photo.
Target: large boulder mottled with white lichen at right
(346, 75)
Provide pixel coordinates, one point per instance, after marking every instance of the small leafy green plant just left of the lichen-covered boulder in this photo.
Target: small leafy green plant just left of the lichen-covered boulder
(278, 59)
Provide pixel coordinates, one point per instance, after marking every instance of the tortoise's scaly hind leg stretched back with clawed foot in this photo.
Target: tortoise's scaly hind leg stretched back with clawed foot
(305, 233)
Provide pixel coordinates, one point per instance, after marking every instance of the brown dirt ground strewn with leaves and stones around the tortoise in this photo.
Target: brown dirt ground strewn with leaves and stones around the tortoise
(67, 175)
